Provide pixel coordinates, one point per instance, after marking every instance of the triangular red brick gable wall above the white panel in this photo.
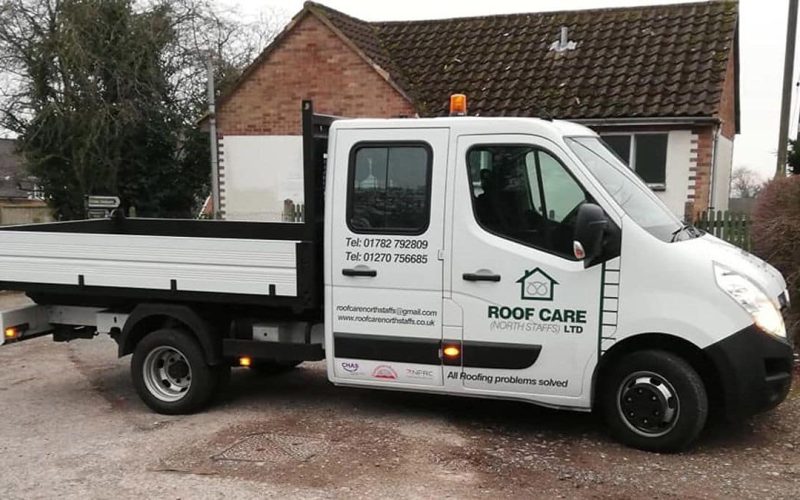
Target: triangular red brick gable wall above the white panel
(311, 62)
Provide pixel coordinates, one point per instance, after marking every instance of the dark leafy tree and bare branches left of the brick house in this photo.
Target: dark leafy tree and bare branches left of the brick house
(104, 94)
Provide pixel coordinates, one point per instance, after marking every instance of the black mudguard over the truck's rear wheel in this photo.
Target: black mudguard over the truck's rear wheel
(146, 318)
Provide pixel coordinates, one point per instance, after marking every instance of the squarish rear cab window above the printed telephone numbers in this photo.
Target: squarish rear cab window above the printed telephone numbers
(389, 188)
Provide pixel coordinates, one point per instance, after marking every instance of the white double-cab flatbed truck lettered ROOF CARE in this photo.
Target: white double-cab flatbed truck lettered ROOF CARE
(508, 258)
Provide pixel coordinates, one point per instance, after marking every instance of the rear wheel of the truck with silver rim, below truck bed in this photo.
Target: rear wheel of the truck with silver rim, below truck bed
(170, 373)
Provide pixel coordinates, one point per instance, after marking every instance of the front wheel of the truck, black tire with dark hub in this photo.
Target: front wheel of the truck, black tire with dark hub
(654, 401)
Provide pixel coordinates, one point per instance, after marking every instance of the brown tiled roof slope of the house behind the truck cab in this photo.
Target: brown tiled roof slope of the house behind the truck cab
(653, 61)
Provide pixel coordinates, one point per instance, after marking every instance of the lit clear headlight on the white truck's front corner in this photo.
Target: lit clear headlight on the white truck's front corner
(747, 294)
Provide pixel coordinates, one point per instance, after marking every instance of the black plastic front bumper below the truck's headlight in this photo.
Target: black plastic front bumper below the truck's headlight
(755, 371)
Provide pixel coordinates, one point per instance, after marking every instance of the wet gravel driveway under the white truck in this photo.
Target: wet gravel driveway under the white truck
(72, 427)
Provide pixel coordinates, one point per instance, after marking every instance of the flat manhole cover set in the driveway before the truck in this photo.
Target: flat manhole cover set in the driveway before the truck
(273, 448)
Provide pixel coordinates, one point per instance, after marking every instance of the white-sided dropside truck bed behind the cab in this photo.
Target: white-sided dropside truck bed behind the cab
(108, 262)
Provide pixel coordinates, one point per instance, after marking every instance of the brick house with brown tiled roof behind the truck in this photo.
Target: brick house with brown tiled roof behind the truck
(659, 83)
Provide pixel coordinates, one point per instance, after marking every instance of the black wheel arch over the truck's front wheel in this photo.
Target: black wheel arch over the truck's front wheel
(691, 353)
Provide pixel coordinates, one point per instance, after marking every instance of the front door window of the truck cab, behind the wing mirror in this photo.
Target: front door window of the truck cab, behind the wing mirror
(525, 194)
